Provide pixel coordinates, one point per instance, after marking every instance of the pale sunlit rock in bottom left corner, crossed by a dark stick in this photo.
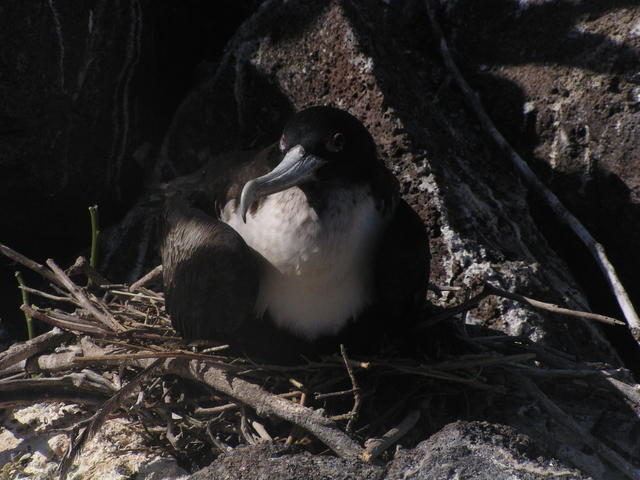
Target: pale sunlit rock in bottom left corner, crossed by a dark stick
(32, 446)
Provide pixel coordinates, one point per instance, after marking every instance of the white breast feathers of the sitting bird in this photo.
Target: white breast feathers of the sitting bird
(322, 273)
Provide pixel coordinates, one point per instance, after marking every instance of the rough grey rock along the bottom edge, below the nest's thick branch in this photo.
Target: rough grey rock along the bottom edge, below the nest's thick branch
(475, 450)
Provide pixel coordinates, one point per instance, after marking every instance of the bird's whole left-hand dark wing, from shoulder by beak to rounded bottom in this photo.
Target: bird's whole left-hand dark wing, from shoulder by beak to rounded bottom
(210, 274)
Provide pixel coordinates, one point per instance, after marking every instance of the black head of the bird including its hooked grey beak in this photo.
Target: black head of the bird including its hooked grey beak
(318, 144)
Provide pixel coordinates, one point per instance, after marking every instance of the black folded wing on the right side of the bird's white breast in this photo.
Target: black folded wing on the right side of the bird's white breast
(402, 268)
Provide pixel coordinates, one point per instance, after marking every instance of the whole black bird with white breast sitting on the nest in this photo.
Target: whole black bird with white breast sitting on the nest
(296, 247)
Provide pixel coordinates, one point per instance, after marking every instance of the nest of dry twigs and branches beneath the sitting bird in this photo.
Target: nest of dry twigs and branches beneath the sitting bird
(196, 400)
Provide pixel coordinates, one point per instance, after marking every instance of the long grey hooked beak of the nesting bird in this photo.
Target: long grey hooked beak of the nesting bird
(295, 168)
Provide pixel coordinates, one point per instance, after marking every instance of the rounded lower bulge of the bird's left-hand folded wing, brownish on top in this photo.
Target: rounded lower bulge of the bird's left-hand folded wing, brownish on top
(210, 274)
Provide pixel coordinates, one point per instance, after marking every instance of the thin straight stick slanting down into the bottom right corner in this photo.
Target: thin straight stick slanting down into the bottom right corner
(580, 433)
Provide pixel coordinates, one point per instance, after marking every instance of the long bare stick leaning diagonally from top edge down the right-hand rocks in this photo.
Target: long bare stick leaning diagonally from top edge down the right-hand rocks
(596, 250)
